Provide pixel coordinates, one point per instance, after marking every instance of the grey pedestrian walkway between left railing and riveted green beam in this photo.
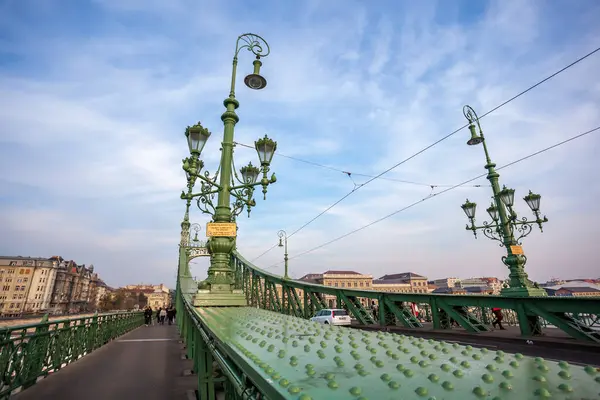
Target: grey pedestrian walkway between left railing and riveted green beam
(143, 364)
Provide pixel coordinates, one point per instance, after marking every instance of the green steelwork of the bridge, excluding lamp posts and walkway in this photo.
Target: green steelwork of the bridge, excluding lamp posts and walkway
(270, 350)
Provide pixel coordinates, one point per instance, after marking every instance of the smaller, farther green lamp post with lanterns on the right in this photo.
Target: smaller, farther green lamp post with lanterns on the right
(505, 225)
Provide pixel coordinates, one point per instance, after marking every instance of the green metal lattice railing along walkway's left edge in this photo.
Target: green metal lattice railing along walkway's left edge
(30, 351)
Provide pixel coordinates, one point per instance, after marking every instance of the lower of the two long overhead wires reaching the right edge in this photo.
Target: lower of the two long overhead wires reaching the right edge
(439, 193)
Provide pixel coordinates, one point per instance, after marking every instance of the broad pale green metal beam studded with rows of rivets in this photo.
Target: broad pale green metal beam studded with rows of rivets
(304, 360)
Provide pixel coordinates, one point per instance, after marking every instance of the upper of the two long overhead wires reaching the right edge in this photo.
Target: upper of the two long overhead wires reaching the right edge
(530, 88)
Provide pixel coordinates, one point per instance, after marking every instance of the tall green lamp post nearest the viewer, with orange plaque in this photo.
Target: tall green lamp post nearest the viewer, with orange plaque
(218, 289)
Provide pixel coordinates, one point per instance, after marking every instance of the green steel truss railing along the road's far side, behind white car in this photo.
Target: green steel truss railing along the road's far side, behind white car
(577, 317)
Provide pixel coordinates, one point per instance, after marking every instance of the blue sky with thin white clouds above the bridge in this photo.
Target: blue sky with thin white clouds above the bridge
(95, 97)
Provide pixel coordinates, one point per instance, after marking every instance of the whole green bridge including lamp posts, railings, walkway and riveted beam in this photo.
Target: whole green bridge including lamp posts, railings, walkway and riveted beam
(245, 333)
